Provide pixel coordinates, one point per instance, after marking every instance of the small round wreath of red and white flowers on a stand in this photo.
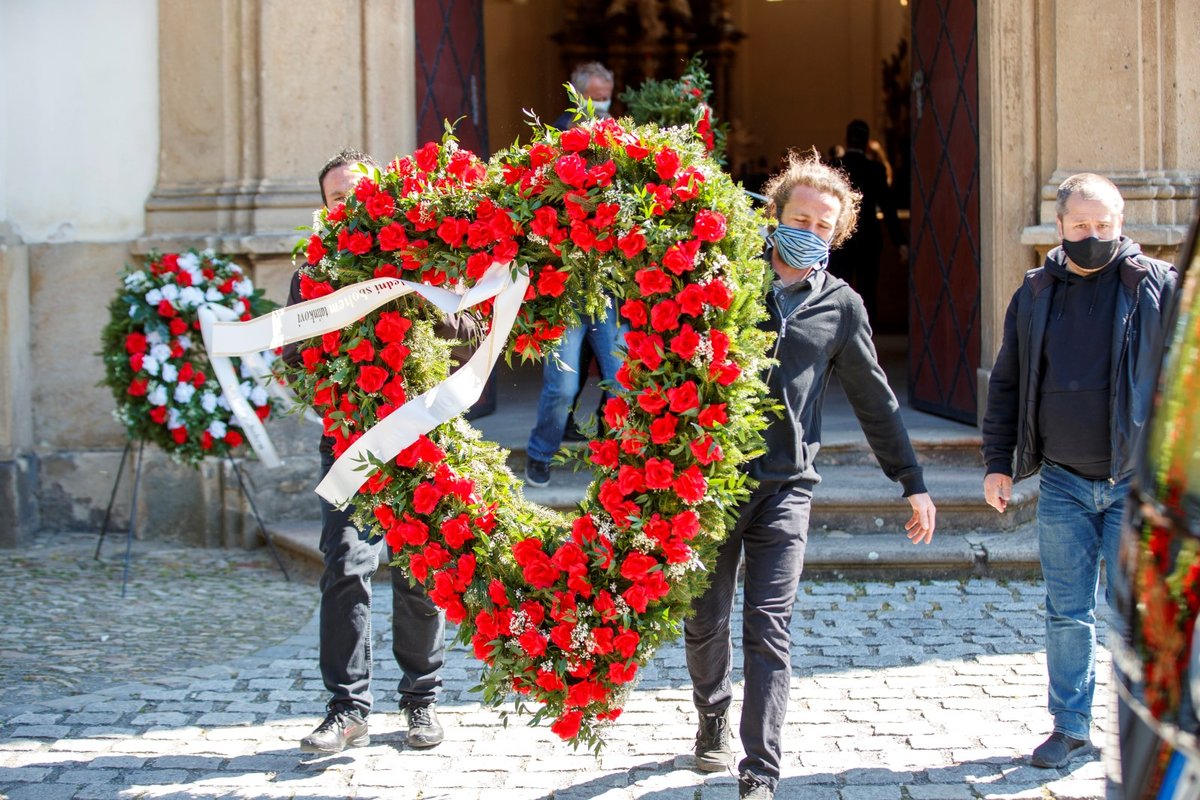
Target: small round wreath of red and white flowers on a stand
(155, 362)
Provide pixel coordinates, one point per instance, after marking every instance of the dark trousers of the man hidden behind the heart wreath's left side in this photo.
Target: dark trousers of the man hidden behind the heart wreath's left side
(418, 628)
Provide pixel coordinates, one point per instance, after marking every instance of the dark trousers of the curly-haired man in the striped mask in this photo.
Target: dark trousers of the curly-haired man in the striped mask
(772, 531)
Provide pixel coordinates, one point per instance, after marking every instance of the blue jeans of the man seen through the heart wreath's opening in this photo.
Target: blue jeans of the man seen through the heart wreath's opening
(561, 381)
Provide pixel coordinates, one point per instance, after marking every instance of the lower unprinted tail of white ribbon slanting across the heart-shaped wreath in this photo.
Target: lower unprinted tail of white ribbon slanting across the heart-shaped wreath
(441, 404)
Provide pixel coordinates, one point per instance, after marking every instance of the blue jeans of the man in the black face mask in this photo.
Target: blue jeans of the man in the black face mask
(1079, 522)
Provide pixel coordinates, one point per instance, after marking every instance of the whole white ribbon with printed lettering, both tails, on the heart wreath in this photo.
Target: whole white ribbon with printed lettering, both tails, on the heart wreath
(421, 414)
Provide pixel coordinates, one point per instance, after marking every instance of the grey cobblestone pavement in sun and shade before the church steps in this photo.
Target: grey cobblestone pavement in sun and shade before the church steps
(902, 691)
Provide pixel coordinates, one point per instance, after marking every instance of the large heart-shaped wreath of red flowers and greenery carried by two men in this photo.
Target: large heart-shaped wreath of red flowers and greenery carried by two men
(604, 219)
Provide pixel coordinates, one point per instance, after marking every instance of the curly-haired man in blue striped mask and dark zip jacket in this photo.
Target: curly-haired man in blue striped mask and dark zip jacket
(823, 330)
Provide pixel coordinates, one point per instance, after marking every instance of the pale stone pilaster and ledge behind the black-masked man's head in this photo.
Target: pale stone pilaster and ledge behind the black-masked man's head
(1123, 104)
